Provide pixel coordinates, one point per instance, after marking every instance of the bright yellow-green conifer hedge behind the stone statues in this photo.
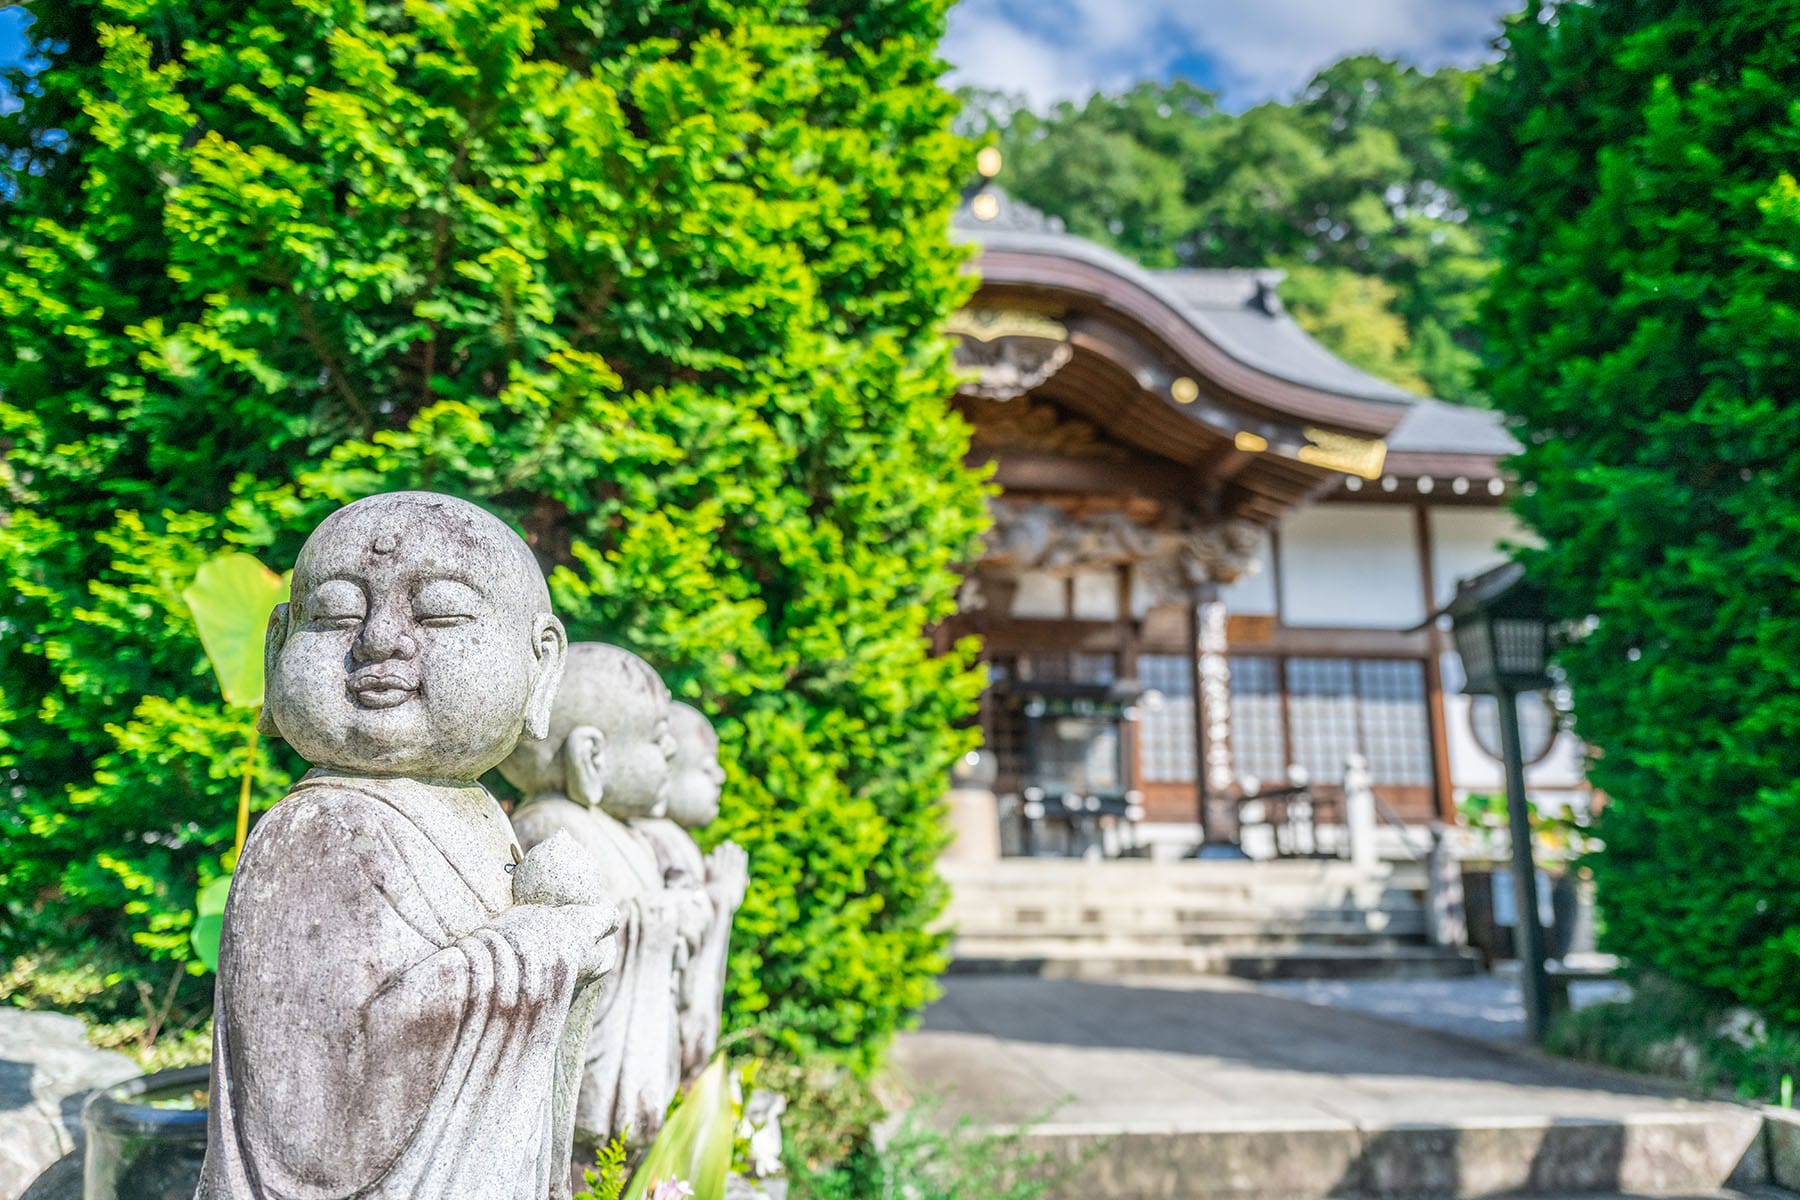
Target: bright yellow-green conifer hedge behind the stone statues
(658, 283)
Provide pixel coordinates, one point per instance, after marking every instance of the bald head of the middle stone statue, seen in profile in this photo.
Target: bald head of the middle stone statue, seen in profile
(609, 737)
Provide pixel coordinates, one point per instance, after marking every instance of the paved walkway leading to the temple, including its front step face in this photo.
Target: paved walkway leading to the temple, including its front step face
(1221, 1091)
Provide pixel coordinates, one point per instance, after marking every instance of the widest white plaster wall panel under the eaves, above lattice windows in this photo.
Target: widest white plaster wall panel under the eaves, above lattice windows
(1353, 566)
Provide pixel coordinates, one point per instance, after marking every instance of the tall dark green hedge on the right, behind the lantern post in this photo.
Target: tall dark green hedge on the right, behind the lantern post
(1637, 166)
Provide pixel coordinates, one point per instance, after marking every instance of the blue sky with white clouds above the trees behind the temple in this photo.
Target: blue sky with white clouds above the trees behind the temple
(1259, 49)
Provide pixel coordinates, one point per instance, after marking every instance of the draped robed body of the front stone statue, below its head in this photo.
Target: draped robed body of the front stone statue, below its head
(388, 1025)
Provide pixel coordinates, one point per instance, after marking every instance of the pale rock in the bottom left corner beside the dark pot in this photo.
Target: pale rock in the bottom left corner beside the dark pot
(46, 1071)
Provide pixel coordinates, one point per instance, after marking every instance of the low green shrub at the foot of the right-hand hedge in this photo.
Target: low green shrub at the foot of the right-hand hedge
(1673, 1030)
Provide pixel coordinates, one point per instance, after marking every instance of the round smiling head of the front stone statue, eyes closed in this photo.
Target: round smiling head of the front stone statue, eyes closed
(418, 643)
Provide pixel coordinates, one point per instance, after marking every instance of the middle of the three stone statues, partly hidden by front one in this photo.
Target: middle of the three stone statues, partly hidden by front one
(606, 762)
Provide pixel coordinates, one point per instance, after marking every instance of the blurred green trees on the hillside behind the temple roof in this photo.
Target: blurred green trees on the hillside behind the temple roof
(1349, 188)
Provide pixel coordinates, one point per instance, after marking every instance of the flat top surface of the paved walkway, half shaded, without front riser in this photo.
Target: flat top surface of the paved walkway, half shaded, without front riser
(1221, 1052)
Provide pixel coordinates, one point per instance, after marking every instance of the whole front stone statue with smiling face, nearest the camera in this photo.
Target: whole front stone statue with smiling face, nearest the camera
(399, 996)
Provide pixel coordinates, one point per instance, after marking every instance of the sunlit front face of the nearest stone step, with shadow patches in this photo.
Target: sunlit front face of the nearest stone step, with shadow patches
(1660, 1154)
